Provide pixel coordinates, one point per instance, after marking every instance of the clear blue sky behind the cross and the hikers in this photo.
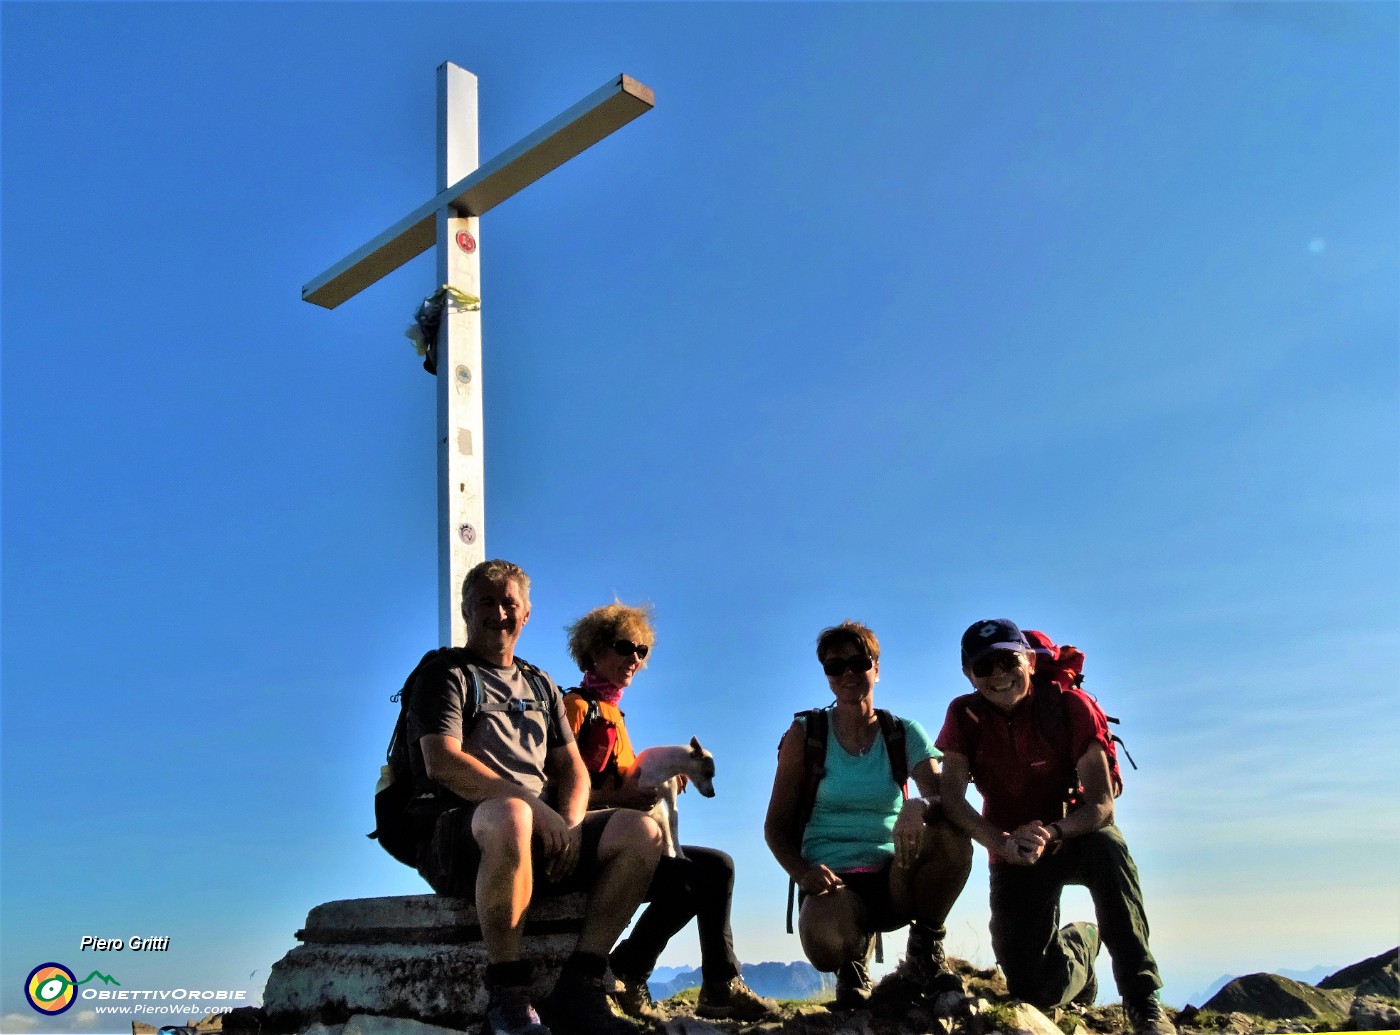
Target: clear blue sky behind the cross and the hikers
(916, 314)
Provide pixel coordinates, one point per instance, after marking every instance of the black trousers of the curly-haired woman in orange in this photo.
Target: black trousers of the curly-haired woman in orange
(698, 887)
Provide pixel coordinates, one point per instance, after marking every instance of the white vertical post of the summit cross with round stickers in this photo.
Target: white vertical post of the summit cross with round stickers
(460, 422)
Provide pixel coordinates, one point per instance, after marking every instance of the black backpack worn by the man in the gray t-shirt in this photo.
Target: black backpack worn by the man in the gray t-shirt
(404, 814)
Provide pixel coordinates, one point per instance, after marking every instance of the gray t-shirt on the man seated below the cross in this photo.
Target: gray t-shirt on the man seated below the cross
(512, 744)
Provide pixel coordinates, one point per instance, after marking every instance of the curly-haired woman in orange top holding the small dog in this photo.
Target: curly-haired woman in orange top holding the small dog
(611, 646)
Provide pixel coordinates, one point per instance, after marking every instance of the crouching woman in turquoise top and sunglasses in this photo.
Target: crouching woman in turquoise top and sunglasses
(864, 858)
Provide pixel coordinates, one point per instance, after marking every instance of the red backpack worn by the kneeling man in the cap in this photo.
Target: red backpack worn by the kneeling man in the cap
(1059, 672)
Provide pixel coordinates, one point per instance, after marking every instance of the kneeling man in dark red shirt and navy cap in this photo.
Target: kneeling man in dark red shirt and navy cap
(1035, 847)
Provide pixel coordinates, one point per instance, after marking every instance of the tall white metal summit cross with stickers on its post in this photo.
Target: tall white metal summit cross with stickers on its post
(450, 221)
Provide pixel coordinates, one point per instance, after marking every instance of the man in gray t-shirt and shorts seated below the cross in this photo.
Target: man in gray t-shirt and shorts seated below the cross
(505, 764)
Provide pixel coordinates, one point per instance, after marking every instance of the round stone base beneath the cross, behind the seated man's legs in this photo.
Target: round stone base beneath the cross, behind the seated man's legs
(416, 957)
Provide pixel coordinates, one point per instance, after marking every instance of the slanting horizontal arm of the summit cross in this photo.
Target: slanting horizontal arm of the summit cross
(608, 109)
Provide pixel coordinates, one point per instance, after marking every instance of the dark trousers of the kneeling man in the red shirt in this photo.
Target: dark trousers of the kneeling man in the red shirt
(1045, 968)
